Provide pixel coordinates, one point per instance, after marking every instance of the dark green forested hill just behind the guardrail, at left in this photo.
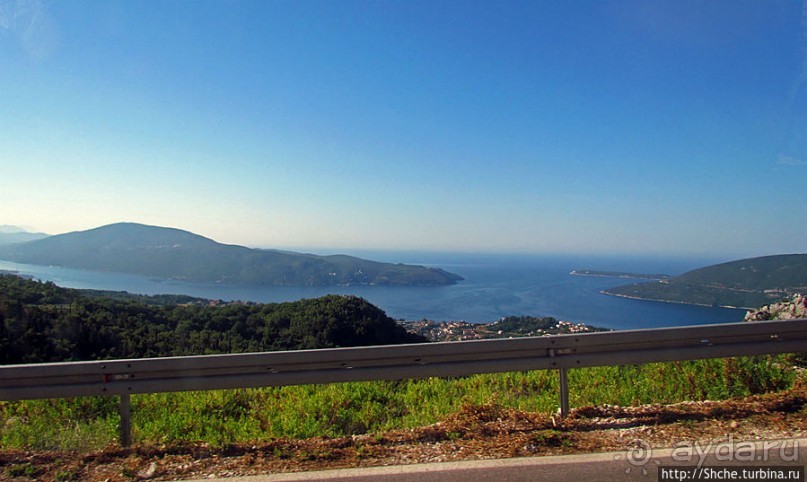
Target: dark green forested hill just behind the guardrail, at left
(41, 322)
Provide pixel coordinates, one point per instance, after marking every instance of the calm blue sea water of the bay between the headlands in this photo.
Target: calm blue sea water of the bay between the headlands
(494, 286)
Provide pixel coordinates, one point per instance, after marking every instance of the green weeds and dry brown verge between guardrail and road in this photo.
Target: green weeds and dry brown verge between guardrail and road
(462, 430)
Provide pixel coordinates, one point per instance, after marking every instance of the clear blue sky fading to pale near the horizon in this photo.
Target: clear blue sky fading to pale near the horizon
(637, 126)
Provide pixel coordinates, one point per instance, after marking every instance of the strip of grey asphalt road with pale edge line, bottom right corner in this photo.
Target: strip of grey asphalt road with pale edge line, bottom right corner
(639, 464)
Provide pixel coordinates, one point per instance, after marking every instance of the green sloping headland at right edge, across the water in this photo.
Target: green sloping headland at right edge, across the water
(746, 283)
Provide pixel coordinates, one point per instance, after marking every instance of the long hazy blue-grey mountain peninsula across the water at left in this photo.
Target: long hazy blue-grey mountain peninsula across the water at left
(176, 254)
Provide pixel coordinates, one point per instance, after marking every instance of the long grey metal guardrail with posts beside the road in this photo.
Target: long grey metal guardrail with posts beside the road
(392, 362)
